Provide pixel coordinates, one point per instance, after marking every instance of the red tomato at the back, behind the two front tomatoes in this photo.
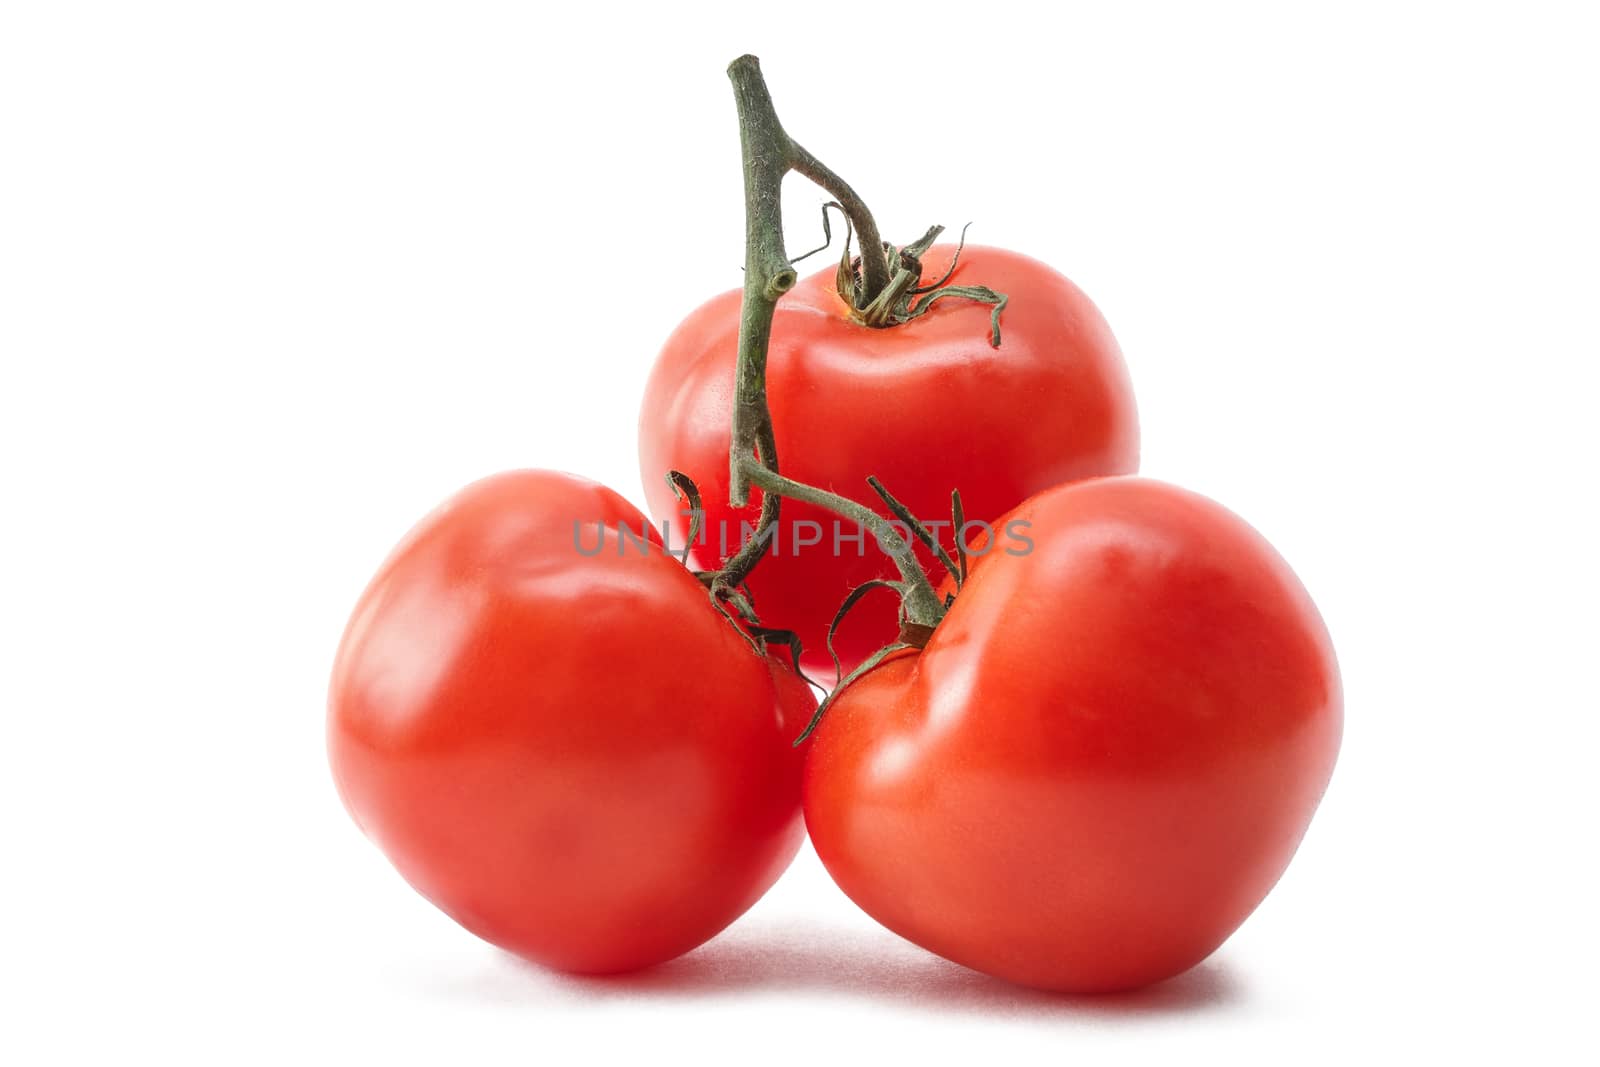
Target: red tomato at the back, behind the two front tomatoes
(927, 407)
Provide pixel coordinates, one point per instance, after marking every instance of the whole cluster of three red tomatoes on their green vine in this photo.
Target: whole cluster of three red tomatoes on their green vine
(1078, 756)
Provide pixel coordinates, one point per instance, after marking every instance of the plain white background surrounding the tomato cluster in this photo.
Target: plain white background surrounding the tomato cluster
(276, 279)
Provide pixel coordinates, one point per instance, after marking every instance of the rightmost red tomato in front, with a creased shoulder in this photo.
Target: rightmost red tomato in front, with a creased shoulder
(1103, 759)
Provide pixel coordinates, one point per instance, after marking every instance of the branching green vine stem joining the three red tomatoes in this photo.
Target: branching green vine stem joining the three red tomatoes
(753, 460)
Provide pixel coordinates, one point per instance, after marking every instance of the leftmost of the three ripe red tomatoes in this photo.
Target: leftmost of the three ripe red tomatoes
(556, 738)
